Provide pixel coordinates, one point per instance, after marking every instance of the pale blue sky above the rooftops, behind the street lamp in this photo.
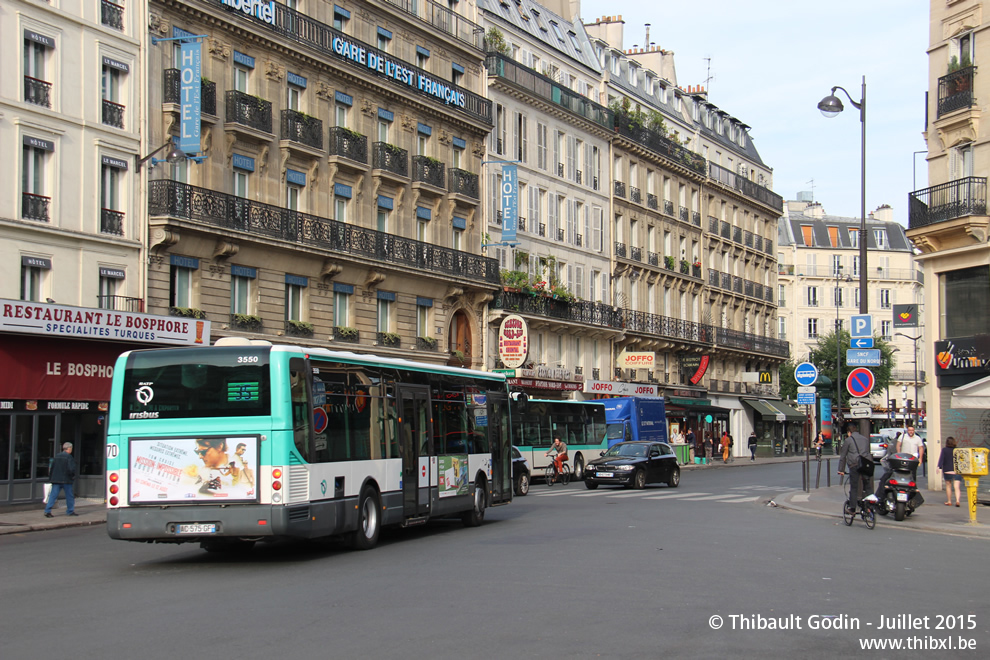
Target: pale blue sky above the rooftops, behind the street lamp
(772, 61)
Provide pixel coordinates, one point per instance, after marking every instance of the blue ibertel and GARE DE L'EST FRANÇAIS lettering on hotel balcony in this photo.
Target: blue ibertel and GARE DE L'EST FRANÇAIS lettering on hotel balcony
(358, 53)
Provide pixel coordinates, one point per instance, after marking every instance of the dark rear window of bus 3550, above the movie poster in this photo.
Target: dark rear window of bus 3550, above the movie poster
(198, 382)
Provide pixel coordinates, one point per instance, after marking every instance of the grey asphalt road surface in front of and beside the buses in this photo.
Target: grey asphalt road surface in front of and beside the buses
(609, 573)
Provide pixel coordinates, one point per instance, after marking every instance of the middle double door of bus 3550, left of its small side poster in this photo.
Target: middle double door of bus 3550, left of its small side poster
(416, 436)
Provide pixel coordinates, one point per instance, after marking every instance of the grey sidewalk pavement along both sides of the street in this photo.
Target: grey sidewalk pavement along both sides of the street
(933, 516)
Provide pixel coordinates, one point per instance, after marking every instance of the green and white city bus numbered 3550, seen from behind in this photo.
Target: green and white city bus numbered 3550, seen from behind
(244, 441)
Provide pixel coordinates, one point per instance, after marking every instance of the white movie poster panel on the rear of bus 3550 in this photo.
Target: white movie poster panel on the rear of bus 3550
(207, 468)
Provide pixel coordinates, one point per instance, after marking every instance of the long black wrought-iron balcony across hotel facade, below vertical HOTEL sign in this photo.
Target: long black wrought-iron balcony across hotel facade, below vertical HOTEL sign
(259, 222)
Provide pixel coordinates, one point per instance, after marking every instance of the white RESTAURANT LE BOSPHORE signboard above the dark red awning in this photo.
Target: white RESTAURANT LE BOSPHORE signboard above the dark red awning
(88, 323)
